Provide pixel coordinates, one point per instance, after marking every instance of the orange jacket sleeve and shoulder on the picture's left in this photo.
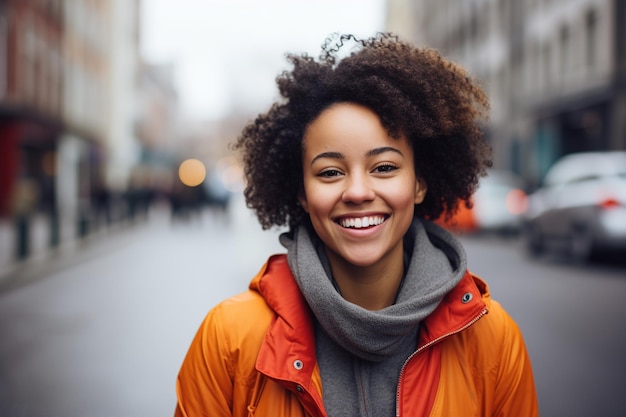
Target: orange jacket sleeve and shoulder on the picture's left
(216, 380)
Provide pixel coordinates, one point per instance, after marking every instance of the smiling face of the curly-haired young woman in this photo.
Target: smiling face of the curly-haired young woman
(360, 186)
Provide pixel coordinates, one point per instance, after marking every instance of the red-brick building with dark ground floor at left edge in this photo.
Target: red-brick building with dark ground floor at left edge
(31, 102)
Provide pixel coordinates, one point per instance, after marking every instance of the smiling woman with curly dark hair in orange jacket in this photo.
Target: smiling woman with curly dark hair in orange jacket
(372, 311)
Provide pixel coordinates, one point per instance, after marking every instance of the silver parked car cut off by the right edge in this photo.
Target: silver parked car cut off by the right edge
(580, 207)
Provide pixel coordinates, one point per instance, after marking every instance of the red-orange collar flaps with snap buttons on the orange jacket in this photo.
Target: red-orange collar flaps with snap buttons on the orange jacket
(288, 351)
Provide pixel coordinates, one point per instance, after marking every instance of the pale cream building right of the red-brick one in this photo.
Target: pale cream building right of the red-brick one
(98, 147)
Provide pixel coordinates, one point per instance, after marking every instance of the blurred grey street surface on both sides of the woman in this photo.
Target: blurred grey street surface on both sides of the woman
(101, 331)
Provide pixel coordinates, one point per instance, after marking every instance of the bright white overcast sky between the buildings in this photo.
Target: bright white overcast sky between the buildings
(228, 52)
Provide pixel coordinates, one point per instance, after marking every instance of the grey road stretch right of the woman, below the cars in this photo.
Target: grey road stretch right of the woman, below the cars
(573, 319)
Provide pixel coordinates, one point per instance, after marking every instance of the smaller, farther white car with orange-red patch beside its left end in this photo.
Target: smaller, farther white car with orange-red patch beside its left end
(498, 205)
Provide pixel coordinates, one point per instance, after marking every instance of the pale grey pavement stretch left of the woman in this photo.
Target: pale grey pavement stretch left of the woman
(101, 330)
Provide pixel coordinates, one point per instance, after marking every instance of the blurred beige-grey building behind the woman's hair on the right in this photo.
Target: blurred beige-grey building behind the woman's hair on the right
(555, 70)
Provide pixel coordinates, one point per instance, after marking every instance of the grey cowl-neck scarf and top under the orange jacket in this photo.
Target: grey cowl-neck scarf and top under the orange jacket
(359, 346)
